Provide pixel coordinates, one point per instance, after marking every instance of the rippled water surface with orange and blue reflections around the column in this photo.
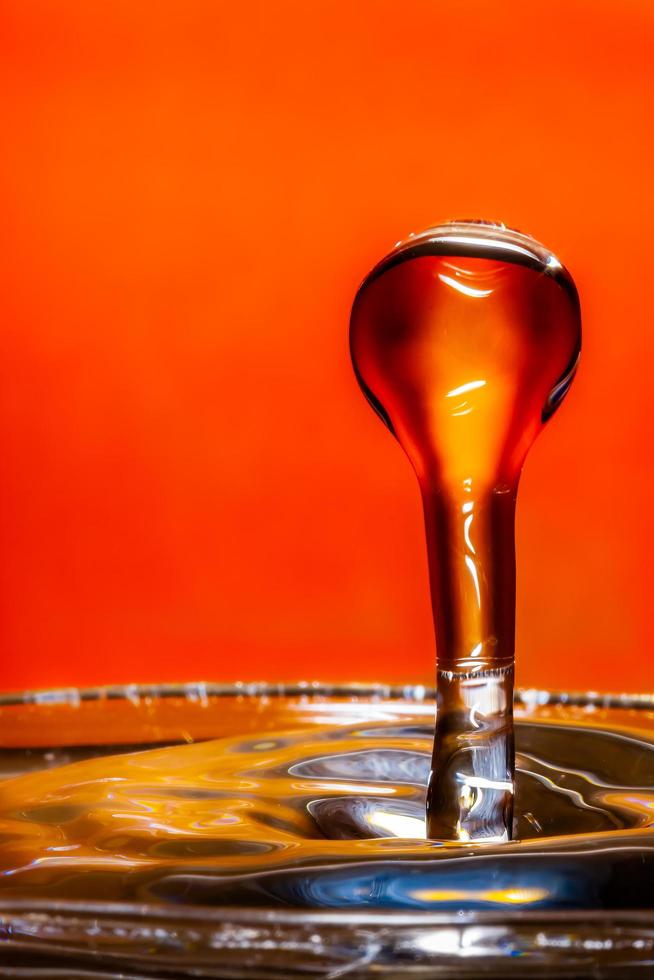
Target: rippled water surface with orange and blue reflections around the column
(333, 818)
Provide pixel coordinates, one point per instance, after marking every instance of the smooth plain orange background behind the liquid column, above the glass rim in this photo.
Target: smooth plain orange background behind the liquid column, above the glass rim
(191, 483)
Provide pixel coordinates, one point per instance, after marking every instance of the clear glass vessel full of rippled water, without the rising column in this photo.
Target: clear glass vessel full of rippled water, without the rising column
(171, 861)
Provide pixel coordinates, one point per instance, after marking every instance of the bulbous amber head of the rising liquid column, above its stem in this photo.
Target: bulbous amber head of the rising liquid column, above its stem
(465, 340)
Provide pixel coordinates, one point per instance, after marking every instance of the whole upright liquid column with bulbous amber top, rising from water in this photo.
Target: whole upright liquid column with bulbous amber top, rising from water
(465, 339)
